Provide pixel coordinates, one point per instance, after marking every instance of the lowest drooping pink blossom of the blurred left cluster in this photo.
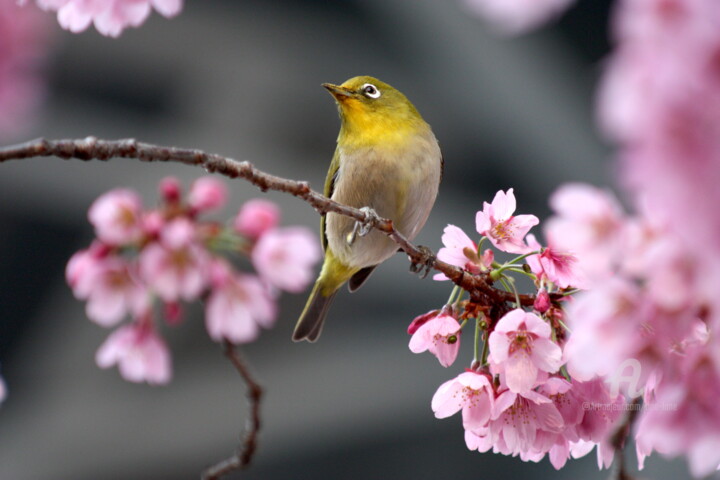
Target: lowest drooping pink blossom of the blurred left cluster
(139, 352)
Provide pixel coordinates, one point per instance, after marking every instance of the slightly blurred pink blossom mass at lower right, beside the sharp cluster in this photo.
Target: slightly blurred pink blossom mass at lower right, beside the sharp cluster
(645, 322)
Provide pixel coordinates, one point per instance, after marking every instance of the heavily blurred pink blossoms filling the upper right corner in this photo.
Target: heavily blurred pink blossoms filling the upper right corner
(660, 99)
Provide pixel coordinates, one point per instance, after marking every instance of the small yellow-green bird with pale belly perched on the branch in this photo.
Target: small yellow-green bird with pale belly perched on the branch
(388, 163)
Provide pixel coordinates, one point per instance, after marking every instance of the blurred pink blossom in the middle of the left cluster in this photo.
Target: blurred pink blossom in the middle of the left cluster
(176, 267)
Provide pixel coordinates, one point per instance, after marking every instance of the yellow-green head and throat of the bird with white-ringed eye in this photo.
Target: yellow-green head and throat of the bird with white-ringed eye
(373, 112)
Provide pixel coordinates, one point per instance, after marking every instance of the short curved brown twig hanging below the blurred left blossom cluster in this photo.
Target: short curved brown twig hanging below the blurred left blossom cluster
(244, 454)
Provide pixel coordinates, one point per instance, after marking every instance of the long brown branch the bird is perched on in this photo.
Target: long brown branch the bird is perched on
(479, 286)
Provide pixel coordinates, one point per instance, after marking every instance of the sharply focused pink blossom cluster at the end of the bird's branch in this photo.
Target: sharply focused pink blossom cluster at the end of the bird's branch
(518, 397)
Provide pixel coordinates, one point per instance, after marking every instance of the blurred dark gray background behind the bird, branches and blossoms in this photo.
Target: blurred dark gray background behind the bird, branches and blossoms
(242, 78)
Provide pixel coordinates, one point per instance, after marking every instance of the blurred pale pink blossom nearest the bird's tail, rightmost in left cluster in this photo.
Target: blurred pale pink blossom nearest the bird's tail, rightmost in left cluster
(284, 257)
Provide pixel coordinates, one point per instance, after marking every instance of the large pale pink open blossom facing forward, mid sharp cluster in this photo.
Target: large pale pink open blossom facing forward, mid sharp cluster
(520, 347)
